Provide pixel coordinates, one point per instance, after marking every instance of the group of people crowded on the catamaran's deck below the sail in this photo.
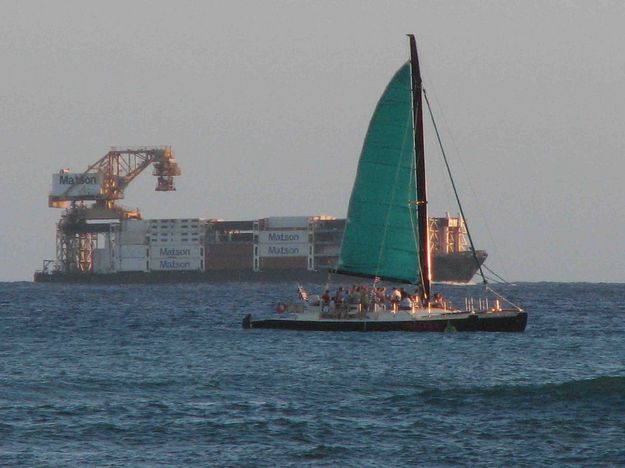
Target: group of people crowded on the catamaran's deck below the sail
(368, 297)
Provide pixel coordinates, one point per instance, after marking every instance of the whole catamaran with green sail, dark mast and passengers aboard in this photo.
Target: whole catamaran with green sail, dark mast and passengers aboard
(386, 234)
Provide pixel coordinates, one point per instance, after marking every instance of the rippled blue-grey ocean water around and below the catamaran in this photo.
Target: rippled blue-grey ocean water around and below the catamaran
(164, 375)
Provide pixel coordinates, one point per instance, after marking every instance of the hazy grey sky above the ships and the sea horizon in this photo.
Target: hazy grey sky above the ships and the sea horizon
(266, 104)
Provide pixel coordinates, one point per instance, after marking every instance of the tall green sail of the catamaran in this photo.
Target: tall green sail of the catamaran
(381, 235)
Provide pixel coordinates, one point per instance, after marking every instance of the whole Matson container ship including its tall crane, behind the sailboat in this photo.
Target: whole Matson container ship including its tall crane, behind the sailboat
(105, 243)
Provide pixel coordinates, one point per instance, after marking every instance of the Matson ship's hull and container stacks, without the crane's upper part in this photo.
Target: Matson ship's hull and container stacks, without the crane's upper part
(303, 248)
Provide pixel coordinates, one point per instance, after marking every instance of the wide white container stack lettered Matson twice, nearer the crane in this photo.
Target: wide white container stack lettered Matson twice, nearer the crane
(176, 244)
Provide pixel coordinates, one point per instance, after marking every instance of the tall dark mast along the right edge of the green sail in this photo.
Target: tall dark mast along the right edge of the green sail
(422, 211)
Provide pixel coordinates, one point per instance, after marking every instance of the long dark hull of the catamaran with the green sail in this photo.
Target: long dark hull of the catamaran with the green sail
(491, 322)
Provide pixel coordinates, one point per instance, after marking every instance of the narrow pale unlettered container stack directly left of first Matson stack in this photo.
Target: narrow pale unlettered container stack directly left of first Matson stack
(133, 252)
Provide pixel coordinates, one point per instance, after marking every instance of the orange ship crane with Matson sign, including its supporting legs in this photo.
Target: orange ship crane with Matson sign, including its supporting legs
(102, 183)
